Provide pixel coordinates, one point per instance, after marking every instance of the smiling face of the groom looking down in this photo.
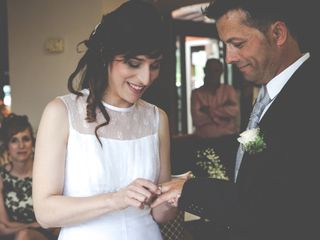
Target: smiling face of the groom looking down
(252, 51)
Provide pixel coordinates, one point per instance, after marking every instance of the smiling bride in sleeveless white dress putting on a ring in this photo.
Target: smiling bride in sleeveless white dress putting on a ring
(101, 151)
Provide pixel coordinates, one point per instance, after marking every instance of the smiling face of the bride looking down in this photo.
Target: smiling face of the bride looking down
(129, 78)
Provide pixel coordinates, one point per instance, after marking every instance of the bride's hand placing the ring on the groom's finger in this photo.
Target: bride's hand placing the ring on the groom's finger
(136, 194)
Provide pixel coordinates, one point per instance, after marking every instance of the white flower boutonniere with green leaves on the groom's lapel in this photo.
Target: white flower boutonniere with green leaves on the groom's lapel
(252, 141)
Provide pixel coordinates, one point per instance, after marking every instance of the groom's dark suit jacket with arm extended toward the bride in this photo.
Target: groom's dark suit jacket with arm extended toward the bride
(276, 193)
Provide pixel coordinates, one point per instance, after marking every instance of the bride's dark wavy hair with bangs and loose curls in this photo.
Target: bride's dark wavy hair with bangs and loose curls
(134, 28)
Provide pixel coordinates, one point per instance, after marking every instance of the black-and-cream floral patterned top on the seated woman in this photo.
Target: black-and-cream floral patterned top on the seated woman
(17, 194)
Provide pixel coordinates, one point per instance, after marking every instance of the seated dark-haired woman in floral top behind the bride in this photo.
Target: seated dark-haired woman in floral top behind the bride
(17, 220)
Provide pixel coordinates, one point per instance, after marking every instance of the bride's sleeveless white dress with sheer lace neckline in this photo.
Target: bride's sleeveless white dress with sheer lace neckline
(130, 150)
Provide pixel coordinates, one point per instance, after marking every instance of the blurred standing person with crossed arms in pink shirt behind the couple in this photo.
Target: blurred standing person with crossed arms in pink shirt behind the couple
(214, 106)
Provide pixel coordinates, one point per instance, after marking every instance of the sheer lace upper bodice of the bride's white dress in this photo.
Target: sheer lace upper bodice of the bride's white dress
(139, 120)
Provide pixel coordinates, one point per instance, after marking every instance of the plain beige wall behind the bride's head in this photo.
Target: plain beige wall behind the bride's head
(36, 77)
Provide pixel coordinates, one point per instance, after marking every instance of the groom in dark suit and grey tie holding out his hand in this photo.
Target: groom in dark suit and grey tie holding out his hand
(275, 193)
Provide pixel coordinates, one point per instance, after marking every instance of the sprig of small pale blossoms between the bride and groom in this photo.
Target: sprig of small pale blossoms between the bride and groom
(210, 162)
